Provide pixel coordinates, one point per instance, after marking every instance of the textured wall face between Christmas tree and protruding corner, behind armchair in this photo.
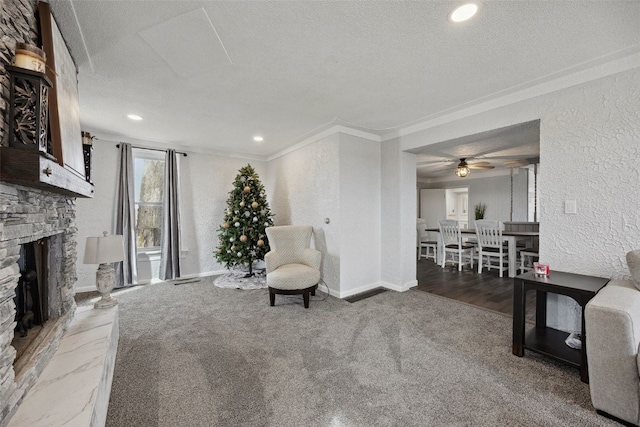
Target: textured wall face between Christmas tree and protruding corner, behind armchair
(304, 188)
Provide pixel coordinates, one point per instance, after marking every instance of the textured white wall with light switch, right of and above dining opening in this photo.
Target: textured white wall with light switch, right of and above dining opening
(589, 152)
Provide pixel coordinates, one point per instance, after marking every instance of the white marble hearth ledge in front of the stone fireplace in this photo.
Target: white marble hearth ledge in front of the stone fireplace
(73, 389)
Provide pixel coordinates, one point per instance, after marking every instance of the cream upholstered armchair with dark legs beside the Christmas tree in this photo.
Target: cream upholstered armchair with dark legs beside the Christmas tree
(292, 266)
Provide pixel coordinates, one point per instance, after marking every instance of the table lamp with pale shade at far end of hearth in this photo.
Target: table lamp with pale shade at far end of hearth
(104, 250)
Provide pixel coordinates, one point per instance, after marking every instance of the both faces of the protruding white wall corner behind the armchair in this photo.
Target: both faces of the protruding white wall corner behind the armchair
(336, 177)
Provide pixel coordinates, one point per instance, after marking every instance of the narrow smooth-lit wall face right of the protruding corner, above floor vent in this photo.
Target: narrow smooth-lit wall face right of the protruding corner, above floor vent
(359, 214)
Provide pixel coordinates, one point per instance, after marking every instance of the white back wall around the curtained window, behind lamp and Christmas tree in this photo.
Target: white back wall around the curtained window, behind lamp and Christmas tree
(205, 181)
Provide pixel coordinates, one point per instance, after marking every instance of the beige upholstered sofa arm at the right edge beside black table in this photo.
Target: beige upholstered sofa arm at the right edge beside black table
(612, 320)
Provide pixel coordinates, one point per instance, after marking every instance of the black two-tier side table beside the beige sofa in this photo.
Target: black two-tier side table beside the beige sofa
(545, 340)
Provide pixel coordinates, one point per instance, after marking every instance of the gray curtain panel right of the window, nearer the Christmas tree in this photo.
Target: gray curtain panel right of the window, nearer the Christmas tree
(170, 235)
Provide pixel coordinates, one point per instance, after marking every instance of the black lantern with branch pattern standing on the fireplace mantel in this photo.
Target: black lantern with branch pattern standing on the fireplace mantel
(28, 109)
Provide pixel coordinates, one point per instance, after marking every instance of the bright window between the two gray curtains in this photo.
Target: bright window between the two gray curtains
(148, 172)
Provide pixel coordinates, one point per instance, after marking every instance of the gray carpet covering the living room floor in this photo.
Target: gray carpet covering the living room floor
(199, 355)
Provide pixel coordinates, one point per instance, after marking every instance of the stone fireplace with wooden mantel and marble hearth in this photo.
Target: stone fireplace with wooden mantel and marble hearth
(38, 270)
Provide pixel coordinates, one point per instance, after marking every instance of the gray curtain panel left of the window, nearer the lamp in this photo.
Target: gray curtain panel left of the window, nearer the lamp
(127, 270)
